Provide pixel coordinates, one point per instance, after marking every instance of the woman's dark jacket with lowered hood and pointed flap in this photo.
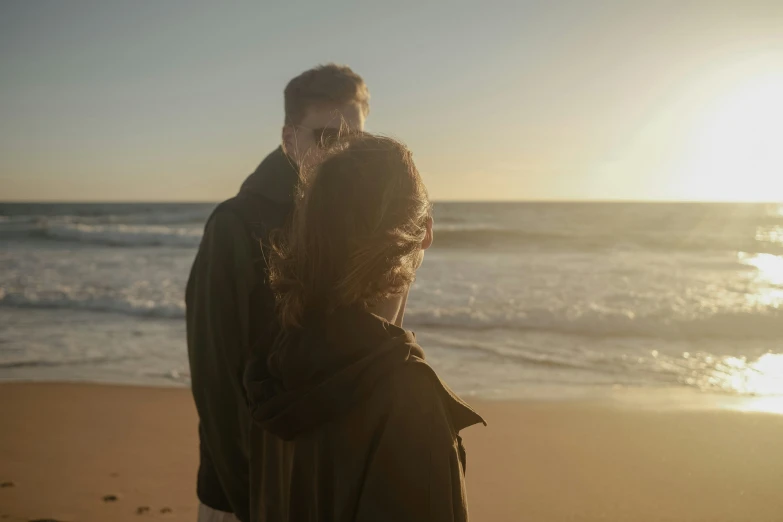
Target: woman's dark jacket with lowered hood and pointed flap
(357, 427)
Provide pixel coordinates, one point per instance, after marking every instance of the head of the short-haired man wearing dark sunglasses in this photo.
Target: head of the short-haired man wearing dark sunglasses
(319, 103)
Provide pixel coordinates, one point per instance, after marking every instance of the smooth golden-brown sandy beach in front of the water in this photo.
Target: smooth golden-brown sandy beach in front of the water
(66, 447)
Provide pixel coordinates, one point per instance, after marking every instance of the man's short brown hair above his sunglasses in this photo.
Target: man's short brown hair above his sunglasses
(329, 84)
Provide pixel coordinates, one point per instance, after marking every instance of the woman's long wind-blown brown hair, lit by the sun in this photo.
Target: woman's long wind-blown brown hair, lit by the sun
(355, 238)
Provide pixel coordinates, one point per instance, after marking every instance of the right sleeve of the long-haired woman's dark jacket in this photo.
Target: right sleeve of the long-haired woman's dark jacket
(415, 473)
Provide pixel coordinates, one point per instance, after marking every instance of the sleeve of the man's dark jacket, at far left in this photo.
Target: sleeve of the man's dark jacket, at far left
(218, 307)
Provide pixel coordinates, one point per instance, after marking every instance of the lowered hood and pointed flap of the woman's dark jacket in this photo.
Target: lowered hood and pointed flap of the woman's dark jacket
(329, 367)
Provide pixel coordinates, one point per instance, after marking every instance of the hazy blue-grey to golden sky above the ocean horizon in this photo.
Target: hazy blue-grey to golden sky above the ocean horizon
(179, 100)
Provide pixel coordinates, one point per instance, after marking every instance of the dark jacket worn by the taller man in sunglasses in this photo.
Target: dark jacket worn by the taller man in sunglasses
(230, 314)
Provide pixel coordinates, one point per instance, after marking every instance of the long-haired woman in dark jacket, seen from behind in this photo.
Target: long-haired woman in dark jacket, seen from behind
(357, 426)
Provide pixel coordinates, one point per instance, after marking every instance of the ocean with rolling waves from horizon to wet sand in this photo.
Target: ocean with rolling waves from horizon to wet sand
(514, 300)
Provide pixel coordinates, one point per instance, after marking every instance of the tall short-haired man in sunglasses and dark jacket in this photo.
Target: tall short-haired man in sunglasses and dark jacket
(230, 308)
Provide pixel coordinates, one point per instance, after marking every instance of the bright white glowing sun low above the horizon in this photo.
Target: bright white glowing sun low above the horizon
(736, 152)
